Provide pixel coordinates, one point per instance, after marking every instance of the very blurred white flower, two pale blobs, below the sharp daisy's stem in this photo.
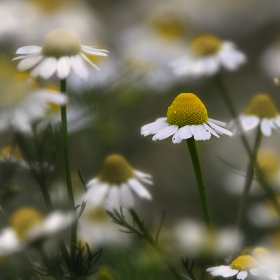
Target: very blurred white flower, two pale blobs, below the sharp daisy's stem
(194, 238)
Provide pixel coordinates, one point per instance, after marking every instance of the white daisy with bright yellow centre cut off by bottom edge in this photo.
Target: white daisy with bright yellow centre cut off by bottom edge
(241, 267)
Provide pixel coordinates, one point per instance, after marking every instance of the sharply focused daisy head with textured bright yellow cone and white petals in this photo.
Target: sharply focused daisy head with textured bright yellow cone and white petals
(186, 117)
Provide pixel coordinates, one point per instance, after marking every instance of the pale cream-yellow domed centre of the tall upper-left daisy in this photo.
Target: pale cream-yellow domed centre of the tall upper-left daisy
(61, 42)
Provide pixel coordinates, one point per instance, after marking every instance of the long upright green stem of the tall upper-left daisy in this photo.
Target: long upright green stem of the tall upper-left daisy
(67, 167)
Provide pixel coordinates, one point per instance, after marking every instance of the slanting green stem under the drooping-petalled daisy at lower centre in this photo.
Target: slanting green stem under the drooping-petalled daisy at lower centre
(152, 241)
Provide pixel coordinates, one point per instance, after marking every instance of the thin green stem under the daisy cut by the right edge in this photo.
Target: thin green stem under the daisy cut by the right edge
(249, 179)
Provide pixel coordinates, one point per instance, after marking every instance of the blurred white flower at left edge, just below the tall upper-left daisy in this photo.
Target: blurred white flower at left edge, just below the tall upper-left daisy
(22, 102)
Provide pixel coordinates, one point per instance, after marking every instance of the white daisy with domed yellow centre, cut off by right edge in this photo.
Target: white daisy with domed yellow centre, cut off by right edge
(261, 111)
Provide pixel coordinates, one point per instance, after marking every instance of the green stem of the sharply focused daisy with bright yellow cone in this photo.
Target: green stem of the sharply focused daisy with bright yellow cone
(200, 182)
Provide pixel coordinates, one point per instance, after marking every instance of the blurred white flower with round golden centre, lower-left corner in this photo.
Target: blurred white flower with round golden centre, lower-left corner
(28, 225)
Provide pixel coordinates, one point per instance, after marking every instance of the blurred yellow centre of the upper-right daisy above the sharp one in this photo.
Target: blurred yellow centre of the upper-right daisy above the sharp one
(206, 44)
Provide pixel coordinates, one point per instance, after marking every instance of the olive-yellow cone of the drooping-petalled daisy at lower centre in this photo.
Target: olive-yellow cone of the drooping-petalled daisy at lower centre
(116, 170)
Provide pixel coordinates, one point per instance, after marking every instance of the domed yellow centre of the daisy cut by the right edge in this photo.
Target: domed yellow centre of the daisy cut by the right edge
(261, 105)
